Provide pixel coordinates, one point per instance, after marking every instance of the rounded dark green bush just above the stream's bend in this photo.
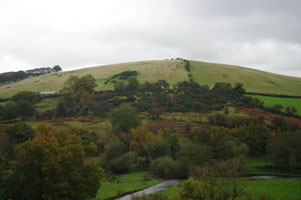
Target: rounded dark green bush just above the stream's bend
(166, 167)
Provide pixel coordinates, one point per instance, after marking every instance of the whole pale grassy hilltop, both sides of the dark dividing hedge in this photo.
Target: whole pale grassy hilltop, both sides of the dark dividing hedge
(171, 70)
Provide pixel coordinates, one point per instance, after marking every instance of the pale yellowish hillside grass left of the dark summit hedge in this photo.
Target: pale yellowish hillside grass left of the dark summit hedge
(171, 70)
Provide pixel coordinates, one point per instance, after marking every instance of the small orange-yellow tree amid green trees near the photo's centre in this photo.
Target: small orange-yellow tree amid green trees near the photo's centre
(139, 139)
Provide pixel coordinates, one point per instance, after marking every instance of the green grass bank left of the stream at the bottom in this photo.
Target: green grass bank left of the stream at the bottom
(118, 185)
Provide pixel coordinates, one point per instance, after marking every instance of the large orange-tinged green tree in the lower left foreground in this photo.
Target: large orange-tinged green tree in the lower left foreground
(51, 166)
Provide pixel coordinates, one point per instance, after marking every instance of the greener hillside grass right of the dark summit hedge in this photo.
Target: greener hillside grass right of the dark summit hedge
(253, 80)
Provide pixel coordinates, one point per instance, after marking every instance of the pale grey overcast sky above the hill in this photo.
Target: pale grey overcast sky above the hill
(262, 34)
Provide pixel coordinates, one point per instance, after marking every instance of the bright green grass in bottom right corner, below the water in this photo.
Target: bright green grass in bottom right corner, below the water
(278, 189)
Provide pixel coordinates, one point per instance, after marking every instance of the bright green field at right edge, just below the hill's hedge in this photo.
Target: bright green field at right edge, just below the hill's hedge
(271, 101)
